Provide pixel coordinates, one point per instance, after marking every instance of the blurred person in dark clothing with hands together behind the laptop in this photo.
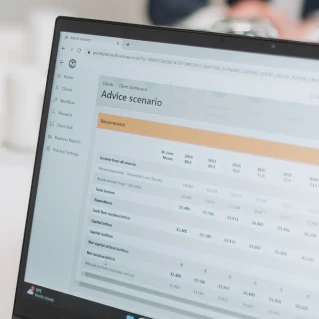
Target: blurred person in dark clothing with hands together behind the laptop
(293, 19)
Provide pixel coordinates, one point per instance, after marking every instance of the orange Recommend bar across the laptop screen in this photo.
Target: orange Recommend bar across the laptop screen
(209, 139)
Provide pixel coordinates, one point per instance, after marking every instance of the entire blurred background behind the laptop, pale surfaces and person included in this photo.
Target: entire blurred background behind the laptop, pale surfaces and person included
(26, 29)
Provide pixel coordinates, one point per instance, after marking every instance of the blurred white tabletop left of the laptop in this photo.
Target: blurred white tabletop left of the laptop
(15, 180)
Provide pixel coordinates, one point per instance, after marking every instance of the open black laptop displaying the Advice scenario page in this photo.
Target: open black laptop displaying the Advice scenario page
(176, 176)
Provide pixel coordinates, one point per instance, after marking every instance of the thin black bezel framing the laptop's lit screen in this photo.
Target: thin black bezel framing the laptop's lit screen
(80, 308)
